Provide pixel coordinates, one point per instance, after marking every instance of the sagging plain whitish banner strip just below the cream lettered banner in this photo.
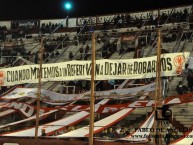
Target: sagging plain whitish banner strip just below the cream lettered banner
(56, 98)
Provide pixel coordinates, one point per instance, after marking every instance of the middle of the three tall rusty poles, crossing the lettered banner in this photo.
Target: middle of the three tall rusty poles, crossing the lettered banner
(92, 98)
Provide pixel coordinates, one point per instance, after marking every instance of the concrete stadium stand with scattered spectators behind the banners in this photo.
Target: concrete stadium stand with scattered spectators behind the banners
(20, 42)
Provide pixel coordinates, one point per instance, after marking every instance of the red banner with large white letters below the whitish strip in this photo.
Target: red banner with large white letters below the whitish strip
(100, 107)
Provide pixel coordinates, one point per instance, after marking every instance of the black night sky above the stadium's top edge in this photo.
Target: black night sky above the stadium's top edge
(49, 9)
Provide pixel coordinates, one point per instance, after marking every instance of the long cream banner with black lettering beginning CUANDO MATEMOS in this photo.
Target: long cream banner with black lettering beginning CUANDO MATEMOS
(171, 63)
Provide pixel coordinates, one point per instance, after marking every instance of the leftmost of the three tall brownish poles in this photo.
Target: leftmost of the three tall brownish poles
(39, 88)
